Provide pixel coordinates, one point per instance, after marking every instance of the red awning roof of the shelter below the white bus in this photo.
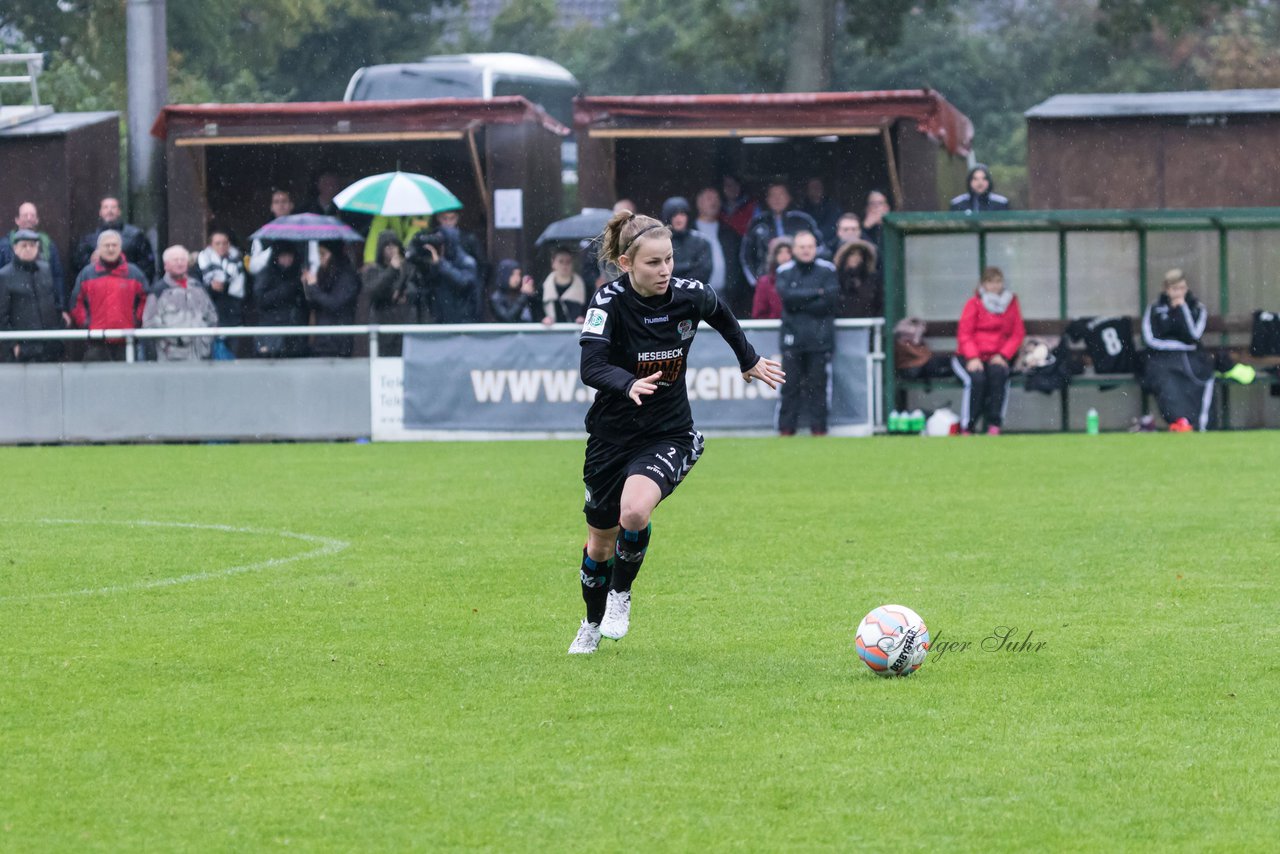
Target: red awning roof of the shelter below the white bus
(447, 118)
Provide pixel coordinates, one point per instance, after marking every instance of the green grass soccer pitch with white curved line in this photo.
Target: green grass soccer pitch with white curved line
(171, 687)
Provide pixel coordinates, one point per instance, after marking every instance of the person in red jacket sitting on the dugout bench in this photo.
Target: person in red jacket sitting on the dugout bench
(991, 331)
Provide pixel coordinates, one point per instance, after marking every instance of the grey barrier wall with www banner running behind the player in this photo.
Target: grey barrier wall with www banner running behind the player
(455, 383)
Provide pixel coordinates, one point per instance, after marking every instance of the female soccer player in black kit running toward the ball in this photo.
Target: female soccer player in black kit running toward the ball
(641, 431)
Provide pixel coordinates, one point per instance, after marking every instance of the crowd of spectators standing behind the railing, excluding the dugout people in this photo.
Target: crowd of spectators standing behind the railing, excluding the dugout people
(410, 271)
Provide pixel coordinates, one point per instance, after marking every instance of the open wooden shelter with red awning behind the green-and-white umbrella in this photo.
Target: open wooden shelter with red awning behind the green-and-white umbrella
(222, 161)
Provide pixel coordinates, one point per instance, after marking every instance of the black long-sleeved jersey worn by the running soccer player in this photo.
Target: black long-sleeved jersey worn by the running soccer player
(627, 337)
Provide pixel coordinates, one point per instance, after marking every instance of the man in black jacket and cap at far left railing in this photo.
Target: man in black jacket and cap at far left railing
(30, 300)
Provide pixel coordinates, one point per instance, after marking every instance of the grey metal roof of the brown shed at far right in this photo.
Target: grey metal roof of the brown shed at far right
(1139, 104)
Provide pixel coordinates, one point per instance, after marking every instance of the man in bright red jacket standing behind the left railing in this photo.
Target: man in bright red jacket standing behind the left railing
(111, 294)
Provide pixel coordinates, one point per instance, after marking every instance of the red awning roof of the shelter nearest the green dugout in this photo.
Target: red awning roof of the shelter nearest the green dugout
(785, 115)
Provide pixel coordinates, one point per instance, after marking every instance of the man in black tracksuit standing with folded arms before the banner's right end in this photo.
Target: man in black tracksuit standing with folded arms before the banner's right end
(810, 293)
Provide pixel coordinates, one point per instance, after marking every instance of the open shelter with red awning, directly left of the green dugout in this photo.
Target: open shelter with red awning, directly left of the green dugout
(911, 144)
